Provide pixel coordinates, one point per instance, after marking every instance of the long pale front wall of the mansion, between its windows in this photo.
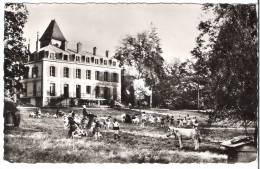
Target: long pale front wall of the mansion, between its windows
(59, 80)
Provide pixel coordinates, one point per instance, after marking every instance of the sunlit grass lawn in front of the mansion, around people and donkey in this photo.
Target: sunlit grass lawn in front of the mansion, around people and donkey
(44, 140)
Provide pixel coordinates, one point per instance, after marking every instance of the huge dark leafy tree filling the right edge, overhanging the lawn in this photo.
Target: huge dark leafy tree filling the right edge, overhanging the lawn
(226, 54)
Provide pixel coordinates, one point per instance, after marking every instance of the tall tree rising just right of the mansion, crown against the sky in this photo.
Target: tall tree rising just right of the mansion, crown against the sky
(143, 53)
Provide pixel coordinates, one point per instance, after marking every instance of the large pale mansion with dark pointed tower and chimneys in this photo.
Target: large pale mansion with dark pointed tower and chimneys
(61, 76)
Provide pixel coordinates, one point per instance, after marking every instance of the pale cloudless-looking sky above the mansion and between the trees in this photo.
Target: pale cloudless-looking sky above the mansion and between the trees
(104, 25)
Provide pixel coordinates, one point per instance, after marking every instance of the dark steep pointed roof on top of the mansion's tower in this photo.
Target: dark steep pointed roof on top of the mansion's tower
(53, 32)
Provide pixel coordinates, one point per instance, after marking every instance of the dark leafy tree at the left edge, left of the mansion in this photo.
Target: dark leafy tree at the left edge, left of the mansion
(15, 16)
